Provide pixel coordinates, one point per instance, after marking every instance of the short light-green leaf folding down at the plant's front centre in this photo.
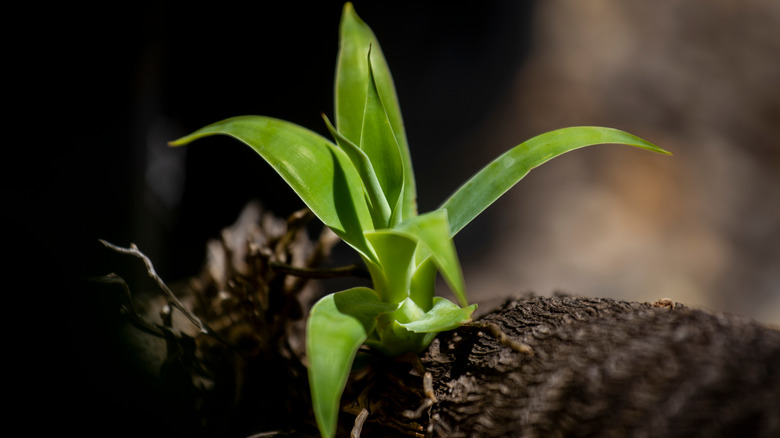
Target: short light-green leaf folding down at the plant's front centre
(432, 230)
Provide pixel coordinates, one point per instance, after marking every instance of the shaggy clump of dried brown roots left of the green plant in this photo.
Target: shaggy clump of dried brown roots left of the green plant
(240, 342)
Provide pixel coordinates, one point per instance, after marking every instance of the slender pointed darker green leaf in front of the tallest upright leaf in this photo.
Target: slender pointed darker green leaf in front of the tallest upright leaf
(379, 143)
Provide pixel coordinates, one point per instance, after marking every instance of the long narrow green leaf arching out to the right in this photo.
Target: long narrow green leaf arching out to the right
(505, 171)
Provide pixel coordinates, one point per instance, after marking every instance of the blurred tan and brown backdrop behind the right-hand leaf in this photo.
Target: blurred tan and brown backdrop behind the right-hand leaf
(700, 78)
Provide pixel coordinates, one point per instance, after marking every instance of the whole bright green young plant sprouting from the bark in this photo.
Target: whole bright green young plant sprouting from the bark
(362, 186)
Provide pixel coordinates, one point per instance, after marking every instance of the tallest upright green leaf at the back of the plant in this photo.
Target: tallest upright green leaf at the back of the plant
(351, 88)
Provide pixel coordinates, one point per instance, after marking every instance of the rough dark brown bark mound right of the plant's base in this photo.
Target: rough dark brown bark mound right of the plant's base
(608, 368)
